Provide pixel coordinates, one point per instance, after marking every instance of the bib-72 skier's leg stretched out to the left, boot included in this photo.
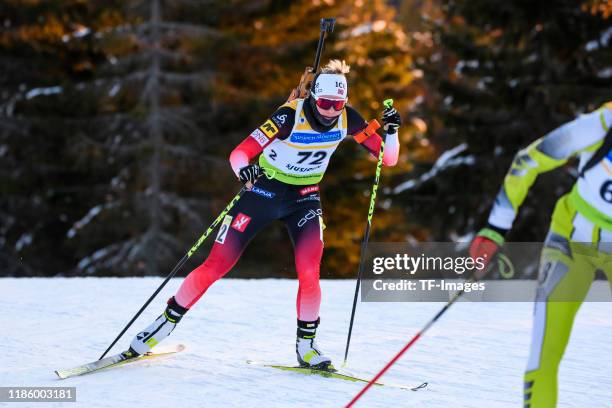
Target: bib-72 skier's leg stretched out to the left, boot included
(243, 222)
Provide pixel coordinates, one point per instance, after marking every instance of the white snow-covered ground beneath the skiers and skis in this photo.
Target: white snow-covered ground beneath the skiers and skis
(473, 357)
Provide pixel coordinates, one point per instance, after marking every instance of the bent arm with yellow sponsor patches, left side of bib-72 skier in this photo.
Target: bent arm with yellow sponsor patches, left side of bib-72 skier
(279, 125)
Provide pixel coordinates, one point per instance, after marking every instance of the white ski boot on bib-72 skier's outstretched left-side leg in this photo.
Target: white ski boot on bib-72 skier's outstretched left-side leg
(156, 331)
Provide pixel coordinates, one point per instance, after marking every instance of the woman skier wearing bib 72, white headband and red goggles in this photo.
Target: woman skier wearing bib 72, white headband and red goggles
(293, 148)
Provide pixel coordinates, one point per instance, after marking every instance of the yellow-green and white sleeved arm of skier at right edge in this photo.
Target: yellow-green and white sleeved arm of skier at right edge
(547, 153)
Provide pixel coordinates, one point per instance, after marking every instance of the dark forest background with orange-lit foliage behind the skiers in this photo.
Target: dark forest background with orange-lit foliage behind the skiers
(117, 119)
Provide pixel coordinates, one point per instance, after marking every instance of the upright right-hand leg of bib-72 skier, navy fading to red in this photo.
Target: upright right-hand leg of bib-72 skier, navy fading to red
(306, 230)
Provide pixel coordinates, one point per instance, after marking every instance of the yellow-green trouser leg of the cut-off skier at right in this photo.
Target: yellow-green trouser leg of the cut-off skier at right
(565, 277)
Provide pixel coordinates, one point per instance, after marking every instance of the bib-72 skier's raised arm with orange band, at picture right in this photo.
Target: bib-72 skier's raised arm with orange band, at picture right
(371, 140)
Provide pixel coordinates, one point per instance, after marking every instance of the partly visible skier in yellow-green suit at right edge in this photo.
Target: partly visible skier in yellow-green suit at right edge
(578, 244)
